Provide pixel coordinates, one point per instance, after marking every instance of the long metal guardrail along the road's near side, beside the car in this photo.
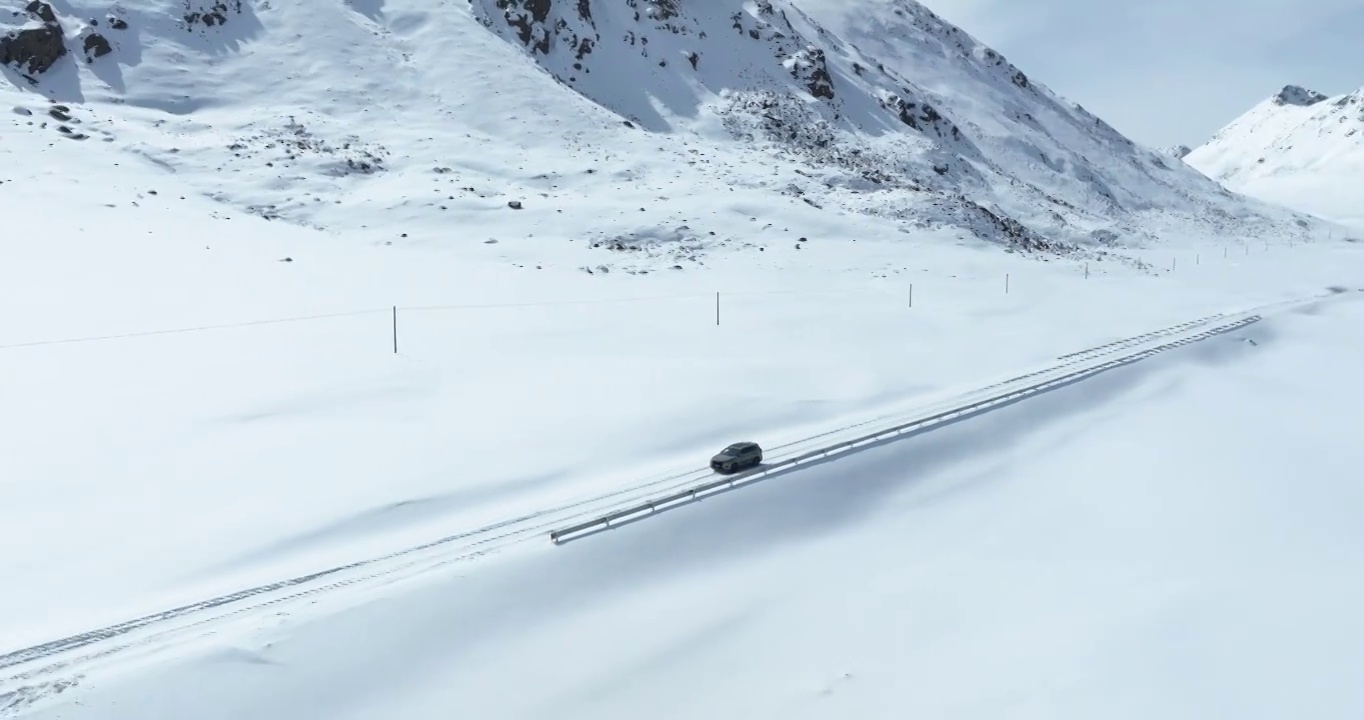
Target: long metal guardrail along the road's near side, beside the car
(714, 487)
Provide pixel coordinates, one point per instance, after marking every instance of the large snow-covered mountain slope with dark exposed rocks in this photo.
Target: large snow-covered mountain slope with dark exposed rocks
(325, 114)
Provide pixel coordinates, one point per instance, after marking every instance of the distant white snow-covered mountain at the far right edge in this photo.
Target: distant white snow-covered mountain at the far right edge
(1298, 148)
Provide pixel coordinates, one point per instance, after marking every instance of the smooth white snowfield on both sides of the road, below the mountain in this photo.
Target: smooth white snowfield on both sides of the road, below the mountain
(1112, 541)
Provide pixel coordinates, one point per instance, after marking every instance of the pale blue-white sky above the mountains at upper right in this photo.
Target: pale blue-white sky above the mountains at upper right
(1172, 72)
